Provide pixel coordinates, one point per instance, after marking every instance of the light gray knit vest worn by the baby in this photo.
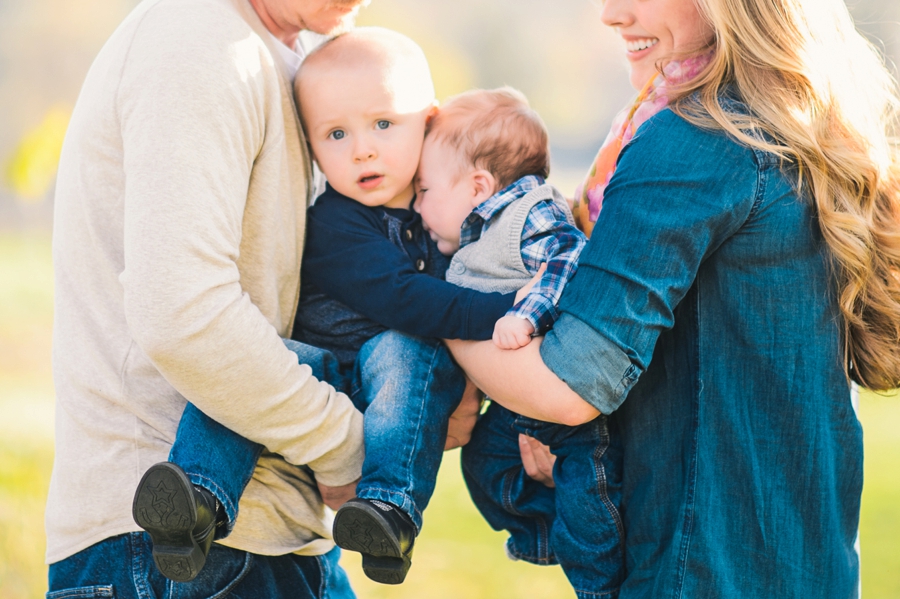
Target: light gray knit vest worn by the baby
(494, 261)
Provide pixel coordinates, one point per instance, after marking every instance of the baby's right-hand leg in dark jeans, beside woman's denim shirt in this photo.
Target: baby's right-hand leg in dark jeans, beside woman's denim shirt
(587, 536)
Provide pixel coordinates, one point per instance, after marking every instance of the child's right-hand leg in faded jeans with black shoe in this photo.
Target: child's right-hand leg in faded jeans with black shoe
(411, 386)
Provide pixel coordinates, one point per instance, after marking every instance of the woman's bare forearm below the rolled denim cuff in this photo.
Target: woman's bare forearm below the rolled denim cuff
(520, 381)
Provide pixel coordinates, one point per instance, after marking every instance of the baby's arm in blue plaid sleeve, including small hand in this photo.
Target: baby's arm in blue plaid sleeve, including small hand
(549, 239)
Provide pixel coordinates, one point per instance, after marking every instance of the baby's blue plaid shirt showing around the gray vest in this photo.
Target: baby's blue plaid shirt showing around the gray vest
(547, 238)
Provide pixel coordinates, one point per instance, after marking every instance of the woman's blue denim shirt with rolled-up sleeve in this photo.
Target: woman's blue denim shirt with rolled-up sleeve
(703, 317)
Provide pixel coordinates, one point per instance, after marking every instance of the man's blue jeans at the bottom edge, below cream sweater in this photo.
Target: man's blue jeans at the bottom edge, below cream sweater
(122, 568)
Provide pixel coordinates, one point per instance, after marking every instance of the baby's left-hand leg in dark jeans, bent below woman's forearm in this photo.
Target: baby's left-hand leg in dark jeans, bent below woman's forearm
(501, 490)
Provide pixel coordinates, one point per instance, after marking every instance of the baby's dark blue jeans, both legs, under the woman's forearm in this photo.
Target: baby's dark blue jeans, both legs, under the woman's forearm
(577, 524)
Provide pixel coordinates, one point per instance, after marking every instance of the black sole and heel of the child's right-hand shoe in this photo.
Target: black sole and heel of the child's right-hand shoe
(359, 527)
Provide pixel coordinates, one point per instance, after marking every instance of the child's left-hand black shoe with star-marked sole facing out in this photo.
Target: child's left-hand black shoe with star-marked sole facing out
(180, 518)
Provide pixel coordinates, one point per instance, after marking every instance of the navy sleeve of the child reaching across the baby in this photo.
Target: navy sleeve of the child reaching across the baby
(349, 258)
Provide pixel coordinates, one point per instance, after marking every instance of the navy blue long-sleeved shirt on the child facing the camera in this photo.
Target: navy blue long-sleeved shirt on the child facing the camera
(369, 269)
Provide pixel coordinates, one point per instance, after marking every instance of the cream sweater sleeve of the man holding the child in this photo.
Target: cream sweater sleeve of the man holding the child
(194, 116)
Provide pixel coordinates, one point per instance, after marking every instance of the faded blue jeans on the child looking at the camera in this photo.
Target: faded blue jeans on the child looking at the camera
(407, 387)
